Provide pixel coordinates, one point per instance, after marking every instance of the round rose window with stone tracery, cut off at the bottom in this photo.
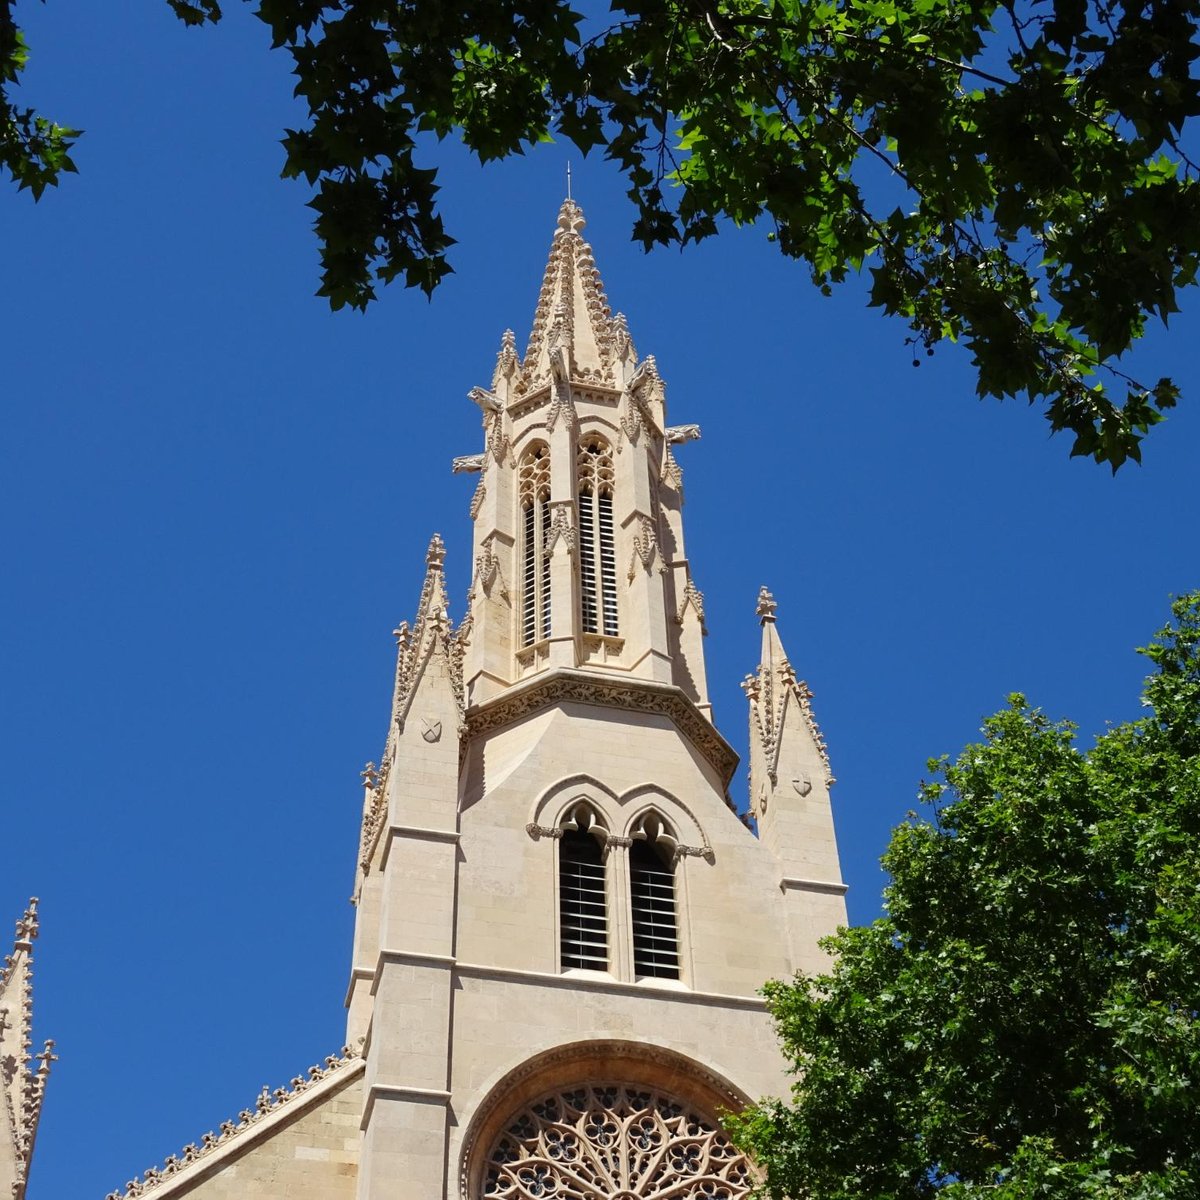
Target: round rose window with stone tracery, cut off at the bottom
(614, 1143)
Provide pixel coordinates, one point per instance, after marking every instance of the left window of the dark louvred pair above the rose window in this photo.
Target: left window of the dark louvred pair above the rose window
(583, 905)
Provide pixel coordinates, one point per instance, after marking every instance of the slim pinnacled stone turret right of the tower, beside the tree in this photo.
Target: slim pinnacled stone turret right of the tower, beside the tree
(790, 782)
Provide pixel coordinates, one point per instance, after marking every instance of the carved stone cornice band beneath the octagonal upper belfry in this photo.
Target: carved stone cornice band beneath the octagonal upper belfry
(565, 686)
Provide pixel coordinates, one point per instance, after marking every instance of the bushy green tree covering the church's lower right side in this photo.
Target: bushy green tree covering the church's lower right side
(1025, 1021)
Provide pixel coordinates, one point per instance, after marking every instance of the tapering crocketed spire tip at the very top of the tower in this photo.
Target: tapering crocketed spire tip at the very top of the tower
(572, 325)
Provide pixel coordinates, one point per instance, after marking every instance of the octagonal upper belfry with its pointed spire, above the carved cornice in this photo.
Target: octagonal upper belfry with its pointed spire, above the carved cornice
(579, 541)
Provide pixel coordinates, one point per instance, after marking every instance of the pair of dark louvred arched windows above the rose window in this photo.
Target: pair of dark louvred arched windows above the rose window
(584, 865)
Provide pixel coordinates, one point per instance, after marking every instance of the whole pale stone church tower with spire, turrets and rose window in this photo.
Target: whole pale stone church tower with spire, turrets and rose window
(562, 922)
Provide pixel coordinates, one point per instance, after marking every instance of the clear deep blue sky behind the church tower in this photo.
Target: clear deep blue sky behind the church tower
(217, 497)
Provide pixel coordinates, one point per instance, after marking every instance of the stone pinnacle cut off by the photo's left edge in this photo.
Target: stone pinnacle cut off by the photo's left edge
(23, 1085)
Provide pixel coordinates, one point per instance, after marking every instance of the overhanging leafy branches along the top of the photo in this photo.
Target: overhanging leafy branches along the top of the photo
(1012, 175)
